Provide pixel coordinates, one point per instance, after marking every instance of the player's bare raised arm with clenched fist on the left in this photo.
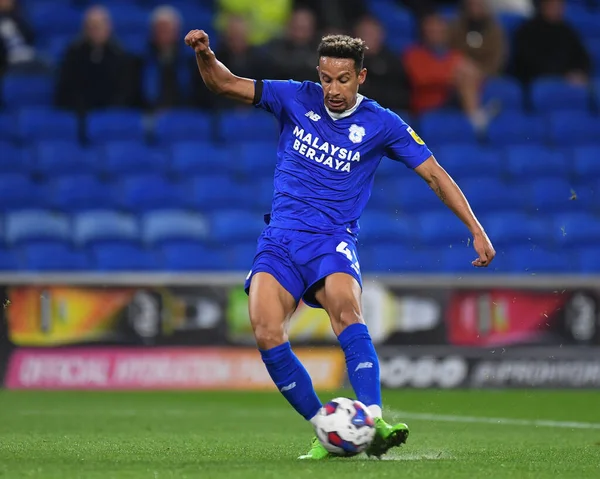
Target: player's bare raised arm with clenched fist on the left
(216, 76)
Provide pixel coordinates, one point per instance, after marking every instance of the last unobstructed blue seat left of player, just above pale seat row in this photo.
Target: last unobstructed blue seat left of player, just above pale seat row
(215, 191)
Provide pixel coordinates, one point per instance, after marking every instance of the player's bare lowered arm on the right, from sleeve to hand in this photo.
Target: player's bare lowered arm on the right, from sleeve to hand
(449, 192)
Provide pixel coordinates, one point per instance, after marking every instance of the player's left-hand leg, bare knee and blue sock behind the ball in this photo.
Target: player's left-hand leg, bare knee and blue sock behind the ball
(271, 306)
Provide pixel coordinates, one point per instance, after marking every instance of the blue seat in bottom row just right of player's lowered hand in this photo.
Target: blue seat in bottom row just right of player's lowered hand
(536, 260)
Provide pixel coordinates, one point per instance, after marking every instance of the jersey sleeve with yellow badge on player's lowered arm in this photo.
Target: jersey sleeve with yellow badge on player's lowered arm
(403, 144)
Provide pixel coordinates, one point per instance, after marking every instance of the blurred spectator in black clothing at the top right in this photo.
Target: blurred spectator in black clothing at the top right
(547, 46)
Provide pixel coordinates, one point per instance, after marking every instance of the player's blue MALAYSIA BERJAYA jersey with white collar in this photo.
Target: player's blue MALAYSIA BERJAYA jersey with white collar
(326, 163)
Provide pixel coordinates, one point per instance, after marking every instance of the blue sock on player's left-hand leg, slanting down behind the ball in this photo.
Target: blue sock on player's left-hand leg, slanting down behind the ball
(292, 379)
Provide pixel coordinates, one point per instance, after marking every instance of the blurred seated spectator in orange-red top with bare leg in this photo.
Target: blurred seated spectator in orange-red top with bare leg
(440, 76)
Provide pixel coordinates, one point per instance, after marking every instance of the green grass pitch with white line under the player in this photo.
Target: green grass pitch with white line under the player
(454, 434)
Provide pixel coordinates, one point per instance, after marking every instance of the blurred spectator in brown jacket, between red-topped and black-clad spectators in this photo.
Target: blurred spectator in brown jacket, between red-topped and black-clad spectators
(478, 35)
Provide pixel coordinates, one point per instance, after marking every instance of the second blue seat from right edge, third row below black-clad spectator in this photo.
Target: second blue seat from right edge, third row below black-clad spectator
(535, 161)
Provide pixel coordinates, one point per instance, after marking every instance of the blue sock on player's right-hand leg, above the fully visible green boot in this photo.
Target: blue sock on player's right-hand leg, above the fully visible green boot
(362, 363)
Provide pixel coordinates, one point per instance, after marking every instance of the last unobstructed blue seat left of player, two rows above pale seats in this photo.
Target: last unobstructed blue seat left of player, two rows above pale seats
(192, 158)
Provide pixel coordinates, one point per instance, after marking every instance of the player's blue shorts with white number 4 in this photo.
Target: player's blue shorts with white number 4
(299, 260)
